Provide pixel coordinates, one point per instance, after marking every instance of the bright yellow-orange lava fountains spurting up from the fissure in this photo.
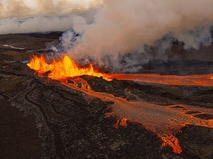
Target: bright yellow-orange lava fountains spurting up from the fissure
(61, 69)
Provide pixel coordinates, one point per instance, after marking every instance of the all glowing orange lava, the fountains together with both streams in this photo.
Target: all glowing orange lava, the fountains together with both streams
(164, 121)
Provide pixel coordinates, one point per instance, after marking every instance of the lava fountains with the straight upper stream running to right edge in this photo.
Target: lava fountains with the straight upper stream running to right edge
(66, 67)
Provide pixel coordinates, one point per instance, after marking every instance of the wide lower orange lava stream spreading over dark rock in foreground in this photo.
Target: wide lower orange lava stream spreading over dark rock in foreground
(164, 121)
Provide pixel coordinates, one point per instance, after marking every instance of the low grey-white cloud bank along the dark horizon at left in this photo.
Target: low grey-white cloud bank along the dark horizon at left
(43, 23)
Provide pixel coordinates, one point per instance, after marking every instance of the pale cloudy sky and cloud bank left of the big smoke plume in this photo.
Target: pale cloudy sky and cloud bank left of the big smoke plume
(23, 16)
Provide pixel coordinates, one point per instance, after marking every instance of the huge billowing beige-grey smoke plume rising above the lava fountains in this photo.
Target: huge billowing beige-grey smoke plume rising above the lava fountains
(127, 26)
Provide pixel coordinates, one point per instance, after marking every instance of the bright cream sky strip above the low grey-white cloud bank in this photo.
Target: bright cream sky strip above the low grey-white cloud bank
(26, 8)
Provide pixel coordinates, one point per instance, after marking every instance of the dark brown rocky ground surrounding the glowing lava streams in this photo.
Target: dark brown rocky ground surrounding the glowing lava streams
(60, 123)
